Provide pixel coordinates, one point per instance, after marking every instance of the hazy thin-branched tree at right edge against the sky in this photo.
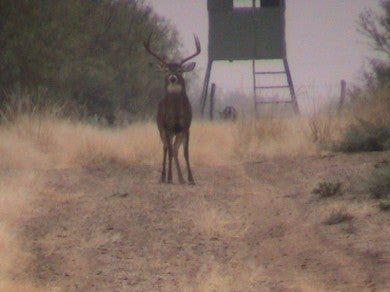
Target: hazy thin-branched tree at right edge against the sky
(376, 27)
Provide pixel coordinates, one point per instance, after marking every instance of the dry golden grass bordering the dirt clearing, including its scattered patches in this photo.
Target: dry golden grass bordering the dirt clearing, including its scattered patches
(36, 142)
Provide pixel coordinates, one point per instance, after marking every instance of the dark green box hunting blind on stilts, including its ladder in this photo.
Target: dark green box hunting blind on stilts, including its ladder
(249, 30)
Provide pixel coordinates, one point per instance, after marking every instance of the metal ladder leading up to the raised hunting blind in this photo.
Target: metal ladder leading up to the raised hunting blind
(257, 88)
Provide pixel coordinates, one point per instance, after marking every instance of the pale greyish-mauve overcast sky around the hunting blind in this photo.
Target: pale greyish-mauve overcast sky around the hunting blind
(323, 44)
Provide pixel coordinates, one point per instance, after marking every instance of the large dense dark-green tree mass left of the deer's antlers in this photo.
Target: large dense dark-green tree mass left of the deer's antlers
(88, 52)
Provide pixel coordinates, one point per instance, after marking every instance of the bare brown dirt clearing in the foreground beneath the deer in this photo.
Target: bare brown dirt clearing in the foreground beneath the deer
(253, 226)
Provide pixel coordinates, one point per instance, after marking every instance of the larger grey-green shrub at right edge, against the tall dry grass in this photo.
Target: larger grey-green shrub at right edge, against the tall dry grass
(365, 136)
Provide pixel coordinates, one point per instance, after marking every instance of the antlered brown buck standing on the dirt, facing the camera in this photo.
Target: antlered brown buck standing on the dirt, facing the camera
(174, 113)
